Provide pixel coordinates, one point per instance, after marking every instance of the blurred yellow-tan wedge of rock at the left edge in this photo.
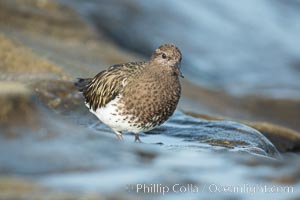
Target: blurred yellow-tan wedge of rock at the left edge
(20, 63)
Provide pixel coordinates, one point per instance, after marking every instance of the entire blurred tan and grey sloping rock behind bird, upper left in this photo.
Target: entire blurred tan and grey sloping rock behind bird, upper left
(49, 37)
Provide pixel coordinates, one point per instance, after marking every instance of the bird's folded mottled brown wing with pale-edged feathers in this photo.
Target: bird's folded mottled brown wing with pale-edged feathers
(106, 85)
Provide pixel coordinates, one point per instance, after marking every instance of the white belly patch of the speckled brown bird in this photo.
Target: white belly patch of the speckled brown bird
(109, 116)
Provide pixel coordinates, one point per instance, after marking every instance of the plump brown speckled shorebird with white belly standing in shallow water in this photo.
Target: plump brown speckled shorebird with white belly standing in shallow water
(136, 96)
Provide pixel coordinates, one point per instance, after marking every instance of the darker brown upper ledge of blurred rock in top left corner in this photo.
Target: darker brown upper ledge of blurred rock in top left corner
(44, 17)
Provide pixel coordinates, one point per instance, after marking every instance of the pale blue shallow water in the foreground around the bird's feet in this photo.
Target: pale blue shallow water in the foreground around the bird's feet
(72, 152)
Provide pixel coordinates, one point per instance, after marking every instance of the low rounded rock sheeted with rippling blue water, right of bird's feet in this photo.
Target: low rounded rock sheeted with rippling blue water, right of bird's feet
(227, 134)
